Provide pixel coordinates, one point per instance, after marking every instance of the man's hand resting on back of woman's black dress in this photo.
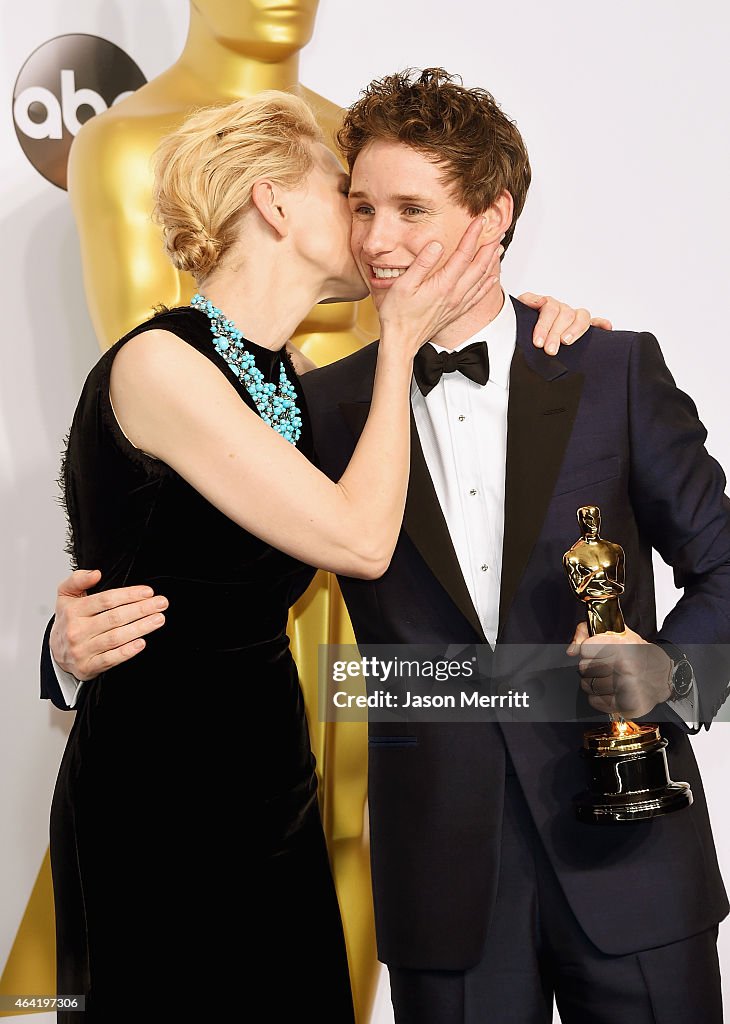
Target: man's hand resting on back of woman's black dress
(94, 633)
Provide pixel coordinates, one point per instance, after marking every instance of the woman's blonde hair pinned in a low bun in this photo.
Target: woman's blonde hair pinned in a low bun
(205, 172)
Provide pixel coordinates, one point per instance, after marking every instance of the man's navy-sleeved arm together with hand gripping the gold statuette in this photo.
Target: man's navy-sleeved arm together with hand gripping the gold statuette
(678, 496)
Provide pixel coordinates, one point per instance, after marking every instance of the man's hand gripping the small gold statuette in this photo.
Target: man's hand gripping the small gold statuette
(622, 673)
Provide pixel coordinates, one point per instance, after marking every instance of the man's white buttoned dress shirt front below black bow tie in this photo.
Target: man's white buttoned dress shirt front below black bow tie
(463, 433)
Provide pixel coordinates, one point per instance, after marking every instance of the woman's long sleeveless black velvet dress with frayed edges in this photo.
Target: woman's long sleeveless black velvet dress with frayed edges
(188, 854)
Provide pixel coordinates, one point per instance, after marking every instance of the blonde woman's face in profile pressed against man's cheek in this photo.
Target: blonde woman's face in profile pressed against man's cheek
(321, 223)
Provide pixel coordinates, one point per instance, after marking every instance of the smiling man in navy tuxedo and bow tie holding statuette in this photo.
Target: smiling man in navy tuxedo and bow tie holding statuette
(490, 897)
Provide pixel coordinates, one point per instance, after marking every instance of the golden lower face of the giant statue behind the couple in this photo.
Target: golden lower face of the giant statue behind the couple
(261, 28)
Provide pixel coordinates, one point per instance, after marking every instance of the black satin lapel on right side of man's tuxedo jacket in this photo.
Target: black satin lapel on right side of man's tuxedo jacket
(540, 419)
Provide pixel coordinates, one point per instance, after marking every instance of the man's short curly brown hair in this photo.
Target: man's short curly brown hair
(464, 131)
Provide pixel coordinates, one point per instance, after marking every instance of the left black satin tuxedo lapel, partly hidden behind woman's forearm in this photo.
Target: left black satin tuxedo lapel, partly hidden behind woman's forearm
(424, 522)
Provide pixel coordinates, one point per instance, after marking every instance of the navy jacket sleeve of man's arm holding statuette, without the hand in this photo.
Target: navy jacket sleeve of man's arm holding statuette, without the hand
(678, 494)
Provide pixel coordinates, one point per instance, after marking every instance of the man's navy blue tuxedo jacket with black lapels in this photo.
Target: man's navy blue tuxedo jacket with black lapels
(602, 424)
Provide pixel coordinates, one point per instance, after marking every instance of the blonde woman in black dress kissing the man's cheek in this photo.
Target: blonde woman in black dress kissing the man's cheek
(189, 470)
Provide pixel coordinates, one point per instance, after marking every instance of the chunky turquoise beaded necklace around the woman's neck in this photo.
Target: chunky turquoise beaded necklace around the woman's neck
(278, 407)
